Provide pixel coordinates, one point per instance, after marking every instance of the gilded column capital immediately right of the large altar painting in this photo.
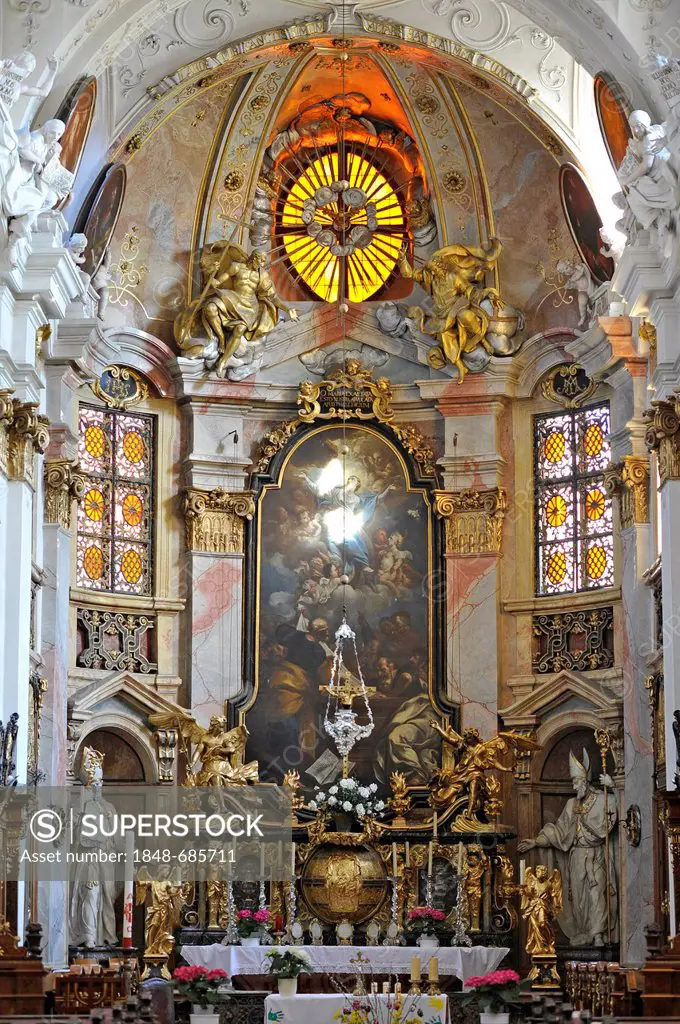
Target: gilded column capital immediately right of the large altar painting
(474, 520)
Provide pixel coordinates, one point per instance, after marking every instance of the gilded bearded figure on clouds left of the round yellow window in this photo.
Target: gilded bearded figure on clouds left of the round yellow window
(237, 310)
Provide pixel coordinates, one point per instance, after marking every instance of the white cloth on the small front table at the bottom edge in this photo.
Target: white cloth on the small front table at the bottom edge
(323, 1009)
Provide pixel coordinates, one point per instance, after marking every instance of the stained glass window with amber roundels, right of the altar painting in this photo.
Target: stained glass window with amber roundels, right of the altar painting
(575, 547)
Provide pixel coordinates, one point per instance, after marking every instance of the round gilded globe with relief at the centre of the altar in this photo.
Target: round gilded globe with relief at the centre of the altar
(345, 883)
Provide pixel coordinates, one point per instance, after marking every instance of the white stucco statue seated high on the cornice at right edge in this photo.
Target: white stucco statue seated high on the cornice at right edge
(650, 182)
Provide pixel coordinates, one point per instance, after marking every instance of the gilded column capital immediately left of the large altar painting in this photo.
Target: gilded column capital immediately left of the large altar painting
(215, 521)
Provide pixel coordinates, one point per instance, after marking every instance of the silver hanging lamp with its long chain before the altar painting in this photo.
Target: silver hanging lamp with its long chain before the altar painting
(342, 721)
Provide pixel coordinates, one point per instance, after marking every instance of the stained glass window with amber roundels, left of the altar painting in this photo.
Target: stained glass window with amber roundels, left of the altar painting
(116, 453)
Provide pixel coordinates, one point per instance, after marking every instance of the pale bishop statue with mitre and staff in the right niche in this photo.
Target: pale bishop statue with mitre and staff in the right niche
(579, 841)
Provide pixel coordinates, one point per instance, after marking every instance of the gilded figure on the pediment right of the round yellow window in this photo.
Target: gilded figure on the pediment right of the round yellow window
(454, 278)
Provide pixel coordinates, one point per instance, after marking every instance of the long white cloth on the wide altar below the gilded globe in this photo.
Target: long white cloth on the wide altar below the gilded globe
(462, 962)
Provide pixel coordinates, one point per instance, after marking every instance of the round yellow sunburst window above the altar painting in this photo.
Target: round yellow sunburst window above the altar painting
(343, 227)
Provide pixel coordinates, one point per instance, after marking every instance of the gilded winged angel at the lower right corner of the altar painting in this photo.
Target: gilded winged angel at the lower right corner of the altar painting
(472, 774)
